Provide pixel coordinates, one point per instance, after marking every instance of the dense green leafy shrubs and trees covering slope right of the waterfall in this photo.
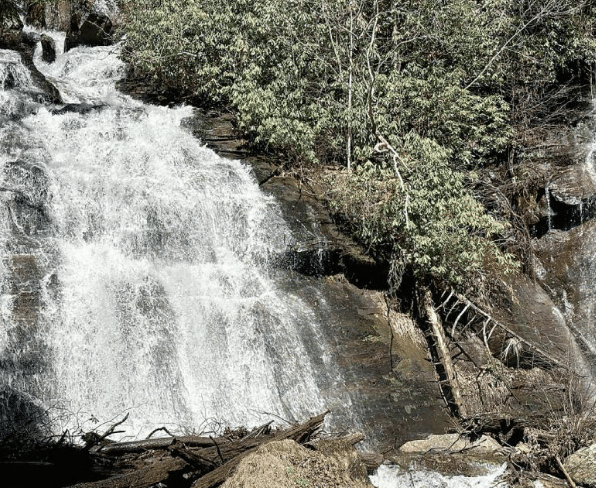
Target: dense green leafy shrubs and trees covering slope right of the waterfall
(411, 98)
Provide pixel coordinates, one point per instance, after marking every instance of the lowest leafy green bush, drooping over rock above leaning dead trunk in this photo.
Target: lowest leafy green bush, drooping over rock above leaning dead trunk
(432, 224)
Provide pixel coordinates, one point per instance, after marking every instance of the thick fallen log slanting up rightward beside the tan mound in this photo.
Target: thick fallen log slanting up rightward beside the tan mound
(299, 433)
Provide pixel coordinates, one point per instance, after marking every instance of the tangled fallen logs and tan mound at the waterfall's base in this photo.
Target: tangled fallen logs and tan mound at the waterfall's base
(292, 456)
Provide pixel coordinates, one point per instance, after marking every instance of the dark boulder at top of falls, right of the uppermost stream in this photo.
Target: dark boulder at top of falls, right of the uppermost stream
(88, 29)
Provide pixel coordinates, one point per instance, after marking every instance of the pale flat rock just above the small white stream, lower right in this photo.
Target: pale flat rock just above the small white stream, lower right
(452, 443)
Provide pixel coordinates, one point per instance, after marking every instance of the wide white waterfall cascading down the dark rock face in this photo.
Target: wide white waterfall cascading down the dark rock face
(135, 271)
